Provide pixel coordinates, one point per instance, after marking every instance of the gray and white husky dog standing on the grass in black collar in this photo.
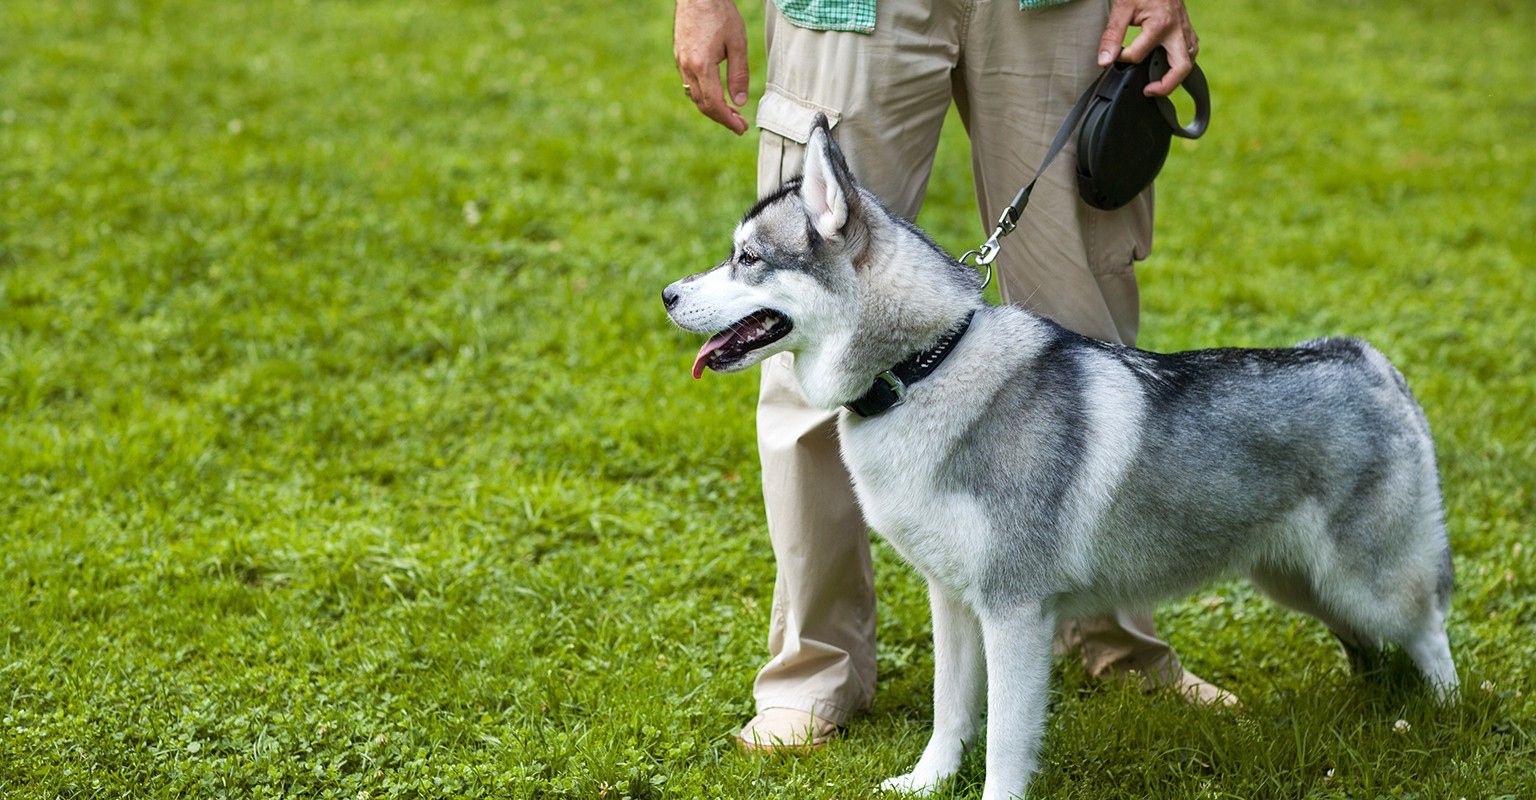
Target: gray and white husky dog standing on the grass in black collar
(1038, 474)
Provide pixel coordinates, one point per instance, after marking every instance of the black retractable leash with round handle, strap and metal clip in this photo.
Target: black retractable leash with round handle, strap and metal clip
(1113, 104)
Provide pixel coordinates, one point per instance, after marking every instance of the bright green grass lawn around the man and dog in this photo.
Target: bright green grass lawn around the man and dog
(345, 451)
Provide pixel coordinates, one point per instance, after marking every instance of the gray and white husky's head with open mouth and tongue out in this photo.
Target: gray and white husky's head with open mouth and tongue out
(790, 276)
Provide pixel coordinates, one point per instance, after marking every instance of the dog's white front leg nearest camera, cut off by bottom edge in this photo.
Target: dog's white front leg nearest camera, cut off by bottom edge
(1018, 693)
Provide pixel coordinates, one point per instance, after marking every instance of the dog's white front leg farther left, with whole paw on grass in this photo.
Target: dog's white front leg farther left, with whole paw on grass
(959, 683)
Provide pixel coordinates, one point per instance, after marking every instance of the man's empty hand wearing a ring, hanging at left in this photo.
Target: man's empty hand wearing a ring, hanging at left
(704, 35)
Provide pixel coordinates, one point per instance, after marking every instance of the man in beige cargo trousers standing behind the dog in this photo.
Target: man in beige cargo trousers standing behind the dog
(886, 74)
